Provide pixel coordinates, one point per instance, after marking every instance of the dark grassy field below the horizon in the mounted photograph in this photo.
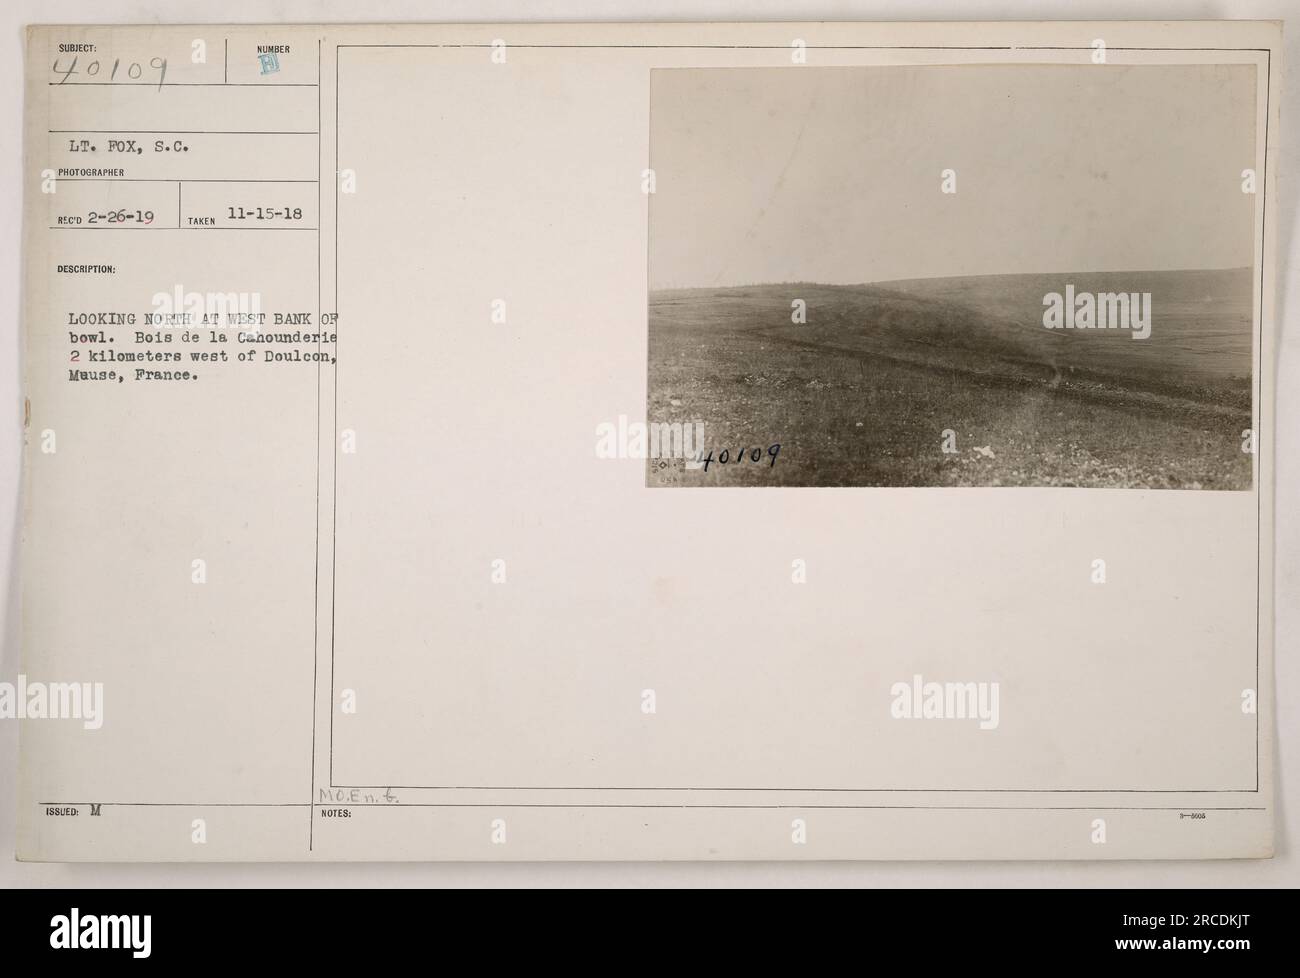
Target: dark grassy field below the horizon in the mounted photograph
(863, 393)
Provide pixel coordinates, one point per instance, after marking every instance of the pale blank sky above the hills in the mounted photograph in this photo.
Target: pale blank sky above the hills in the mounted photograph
(833, 175)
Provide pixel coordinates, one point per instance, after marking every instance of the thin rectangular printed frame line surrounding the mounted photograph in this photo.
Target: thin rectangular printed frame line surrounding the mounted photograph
(1259, 406)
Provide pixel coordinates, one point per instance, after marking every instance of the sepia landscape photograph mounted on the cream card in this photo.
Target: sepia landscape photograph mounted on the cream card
(954, 276)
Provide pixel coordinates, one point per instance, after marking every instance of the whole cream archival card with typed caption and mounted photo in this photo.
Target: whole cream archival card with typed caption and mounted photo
(357, 358)
